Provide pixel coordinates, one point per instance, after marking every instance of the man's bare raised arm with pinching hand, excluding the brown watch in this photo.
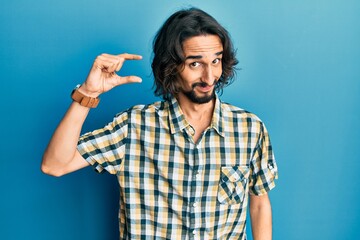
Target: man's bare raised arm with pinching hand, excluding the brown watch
(61, 156)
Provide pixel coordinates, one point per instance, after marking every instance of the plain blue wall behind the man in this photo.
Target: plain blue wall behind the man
(300, 72)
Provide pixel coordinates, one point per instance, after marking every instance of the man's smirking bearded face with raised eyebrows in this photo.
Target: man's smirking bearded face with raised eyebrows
(202, 68)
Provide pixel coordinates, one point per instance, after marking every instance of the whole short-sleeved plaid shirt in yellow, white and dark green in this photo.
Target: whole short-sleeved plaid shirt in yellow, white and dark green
(174, 188)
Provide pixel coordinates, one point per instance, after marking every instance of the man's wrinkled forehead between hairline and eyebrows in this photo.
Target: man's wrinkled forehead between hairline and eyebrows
(202, 45)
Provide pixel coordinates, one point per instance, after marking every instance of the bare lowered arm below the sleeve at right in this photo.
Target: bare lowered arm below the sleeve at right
(260, 213)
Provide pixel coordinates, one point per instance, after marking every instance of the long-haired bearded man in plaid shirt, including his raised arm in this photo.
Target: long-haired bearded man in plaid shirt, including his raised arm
(188, 165)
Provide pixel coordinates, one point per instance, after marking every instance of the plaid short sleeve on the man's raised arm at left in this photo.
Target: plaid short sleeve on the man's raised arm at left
(104, 148)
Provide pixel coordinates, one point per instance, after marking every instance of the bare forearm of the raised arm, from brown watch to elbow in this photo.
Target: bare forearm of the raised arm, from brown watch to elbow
(62, 146)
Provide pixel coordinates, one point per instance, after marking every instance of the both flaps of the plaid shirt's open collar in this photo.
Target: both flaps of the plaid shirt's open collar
(178, 122)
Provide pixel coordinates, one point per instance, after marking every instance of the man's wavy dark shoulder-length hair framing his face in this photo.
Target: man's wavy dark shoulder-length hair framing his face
(168, 51)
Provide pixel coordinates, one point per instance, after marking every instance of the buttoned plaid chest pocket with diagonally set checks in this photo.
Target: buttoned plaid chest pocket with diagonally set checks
(232, 186)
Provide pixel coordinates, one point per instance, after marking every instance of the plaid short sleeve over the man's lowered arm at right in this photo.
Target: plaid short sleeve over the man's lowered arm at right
(263, 165)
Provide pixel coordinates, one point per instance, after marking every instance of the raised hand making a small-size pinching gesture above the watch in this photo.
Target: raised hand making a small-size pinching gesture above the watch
(103, 76)
